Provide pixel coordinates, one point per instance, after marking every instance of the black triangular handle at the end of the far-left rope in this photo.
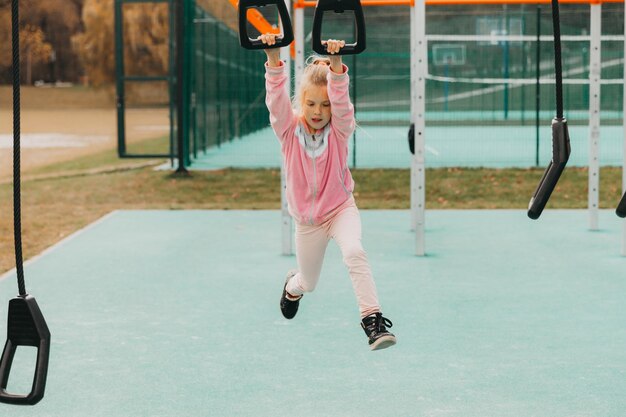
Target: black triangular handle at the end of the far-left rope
(26, 327)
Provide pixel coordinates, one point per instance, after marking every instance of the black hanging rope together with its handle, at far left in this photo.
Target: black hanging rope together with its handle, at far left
(26, 325)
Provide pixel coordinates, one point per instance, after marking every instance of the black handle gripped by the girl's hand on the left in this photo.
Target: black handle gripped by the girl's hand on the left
(282, 40)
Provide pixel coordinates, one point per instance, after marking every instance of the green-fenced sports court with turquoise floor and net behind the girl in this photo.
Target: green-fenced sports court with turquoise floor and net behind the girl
(474, 117)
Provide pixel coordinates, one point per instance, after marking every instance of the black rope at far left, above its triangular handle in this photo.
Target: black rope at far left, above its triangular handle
(17, 223)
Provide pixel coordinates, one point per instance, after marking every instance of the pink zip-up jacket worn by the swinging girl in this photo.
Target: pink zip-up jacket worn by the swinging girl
(318, 180)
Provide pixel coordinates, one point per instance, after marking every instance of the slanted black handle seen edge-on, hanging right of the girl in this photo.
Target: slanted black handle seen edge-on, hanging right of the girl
(560, 155)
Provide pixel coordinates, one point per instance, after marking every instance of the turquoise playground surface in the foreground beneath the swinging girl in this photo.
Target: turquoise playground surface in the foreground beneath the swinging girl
(175, 313)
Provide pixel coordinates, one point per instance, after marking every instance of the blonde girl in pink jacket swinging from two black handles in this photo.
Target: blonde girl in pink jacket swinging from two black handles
(314, 144)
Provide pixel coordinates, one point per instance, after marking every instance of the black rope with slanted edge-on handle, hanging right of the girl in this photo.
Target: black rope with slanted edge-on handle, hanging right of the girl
(560, 136)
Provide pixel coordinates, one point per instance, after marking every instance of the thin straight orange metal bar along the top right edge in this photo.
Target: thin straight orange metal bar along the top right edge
(309, 3)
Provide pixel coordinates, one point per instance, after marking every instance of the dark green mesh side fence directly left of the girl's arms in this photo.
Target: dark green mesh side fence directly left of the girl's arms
(227, 88)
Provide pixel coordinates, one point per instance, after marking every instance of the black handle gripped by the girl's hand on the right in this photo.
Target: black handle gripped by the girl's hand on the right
(339, 6)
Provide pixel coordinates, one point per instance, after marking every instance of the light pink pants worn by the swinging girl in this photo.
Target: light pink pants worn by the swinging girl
(311, 242)
